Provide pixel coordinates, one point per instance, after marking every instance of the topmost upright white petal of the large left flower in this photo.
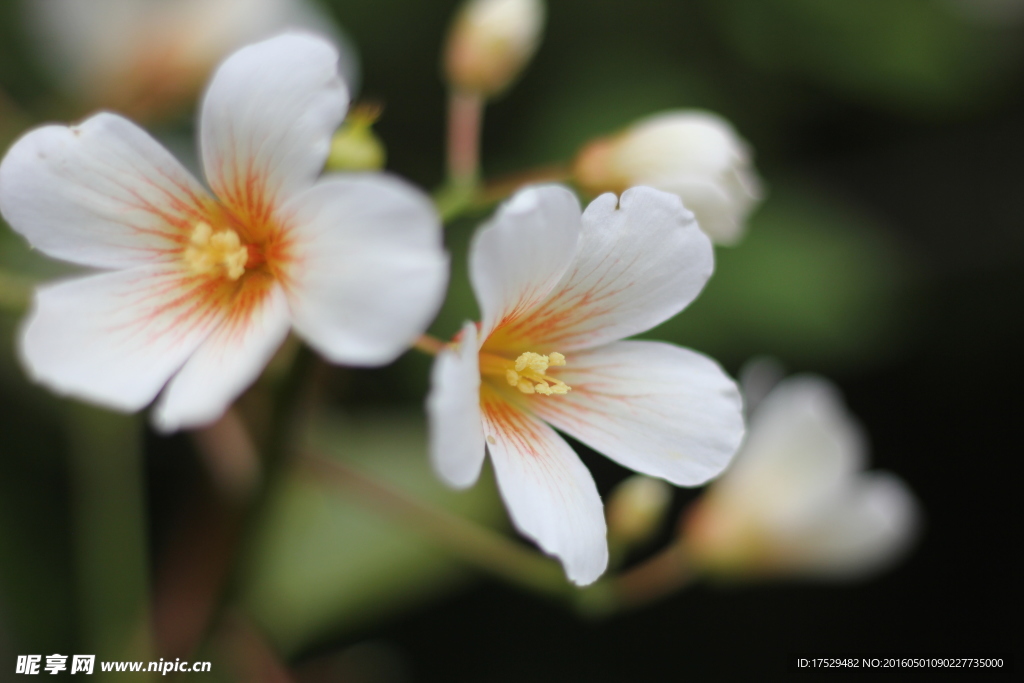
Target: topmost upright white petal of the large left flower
(268, 120)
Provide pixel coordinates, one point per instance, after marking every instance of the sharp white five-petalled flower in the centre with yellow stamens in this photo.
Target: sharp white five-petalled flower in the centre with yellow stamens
(559, 291)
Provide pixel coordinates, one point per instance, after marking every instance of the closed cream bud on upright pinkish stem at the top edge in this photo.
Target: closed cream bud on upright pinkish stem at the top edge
(491, 44)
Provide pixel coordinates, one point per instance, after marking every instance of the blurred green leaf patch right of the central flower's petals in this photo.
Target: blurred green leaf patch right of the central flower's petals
(814, 283)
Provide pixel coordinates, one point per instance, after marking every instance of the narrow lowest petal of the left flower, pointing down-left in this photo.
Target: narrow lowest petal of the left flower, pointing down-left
(226, 364)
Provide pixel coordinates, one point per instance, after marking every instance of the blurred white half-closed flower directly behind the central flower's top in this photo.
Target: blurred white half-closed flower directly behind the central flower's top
(696, 155)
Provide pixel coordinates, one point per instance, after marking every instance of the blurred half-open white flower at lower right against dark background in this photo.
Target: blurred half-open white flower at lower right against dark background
(795, 502)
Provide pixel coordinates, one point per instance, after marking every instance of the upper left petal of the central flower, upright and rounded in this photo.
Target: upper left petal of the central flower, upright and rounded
(520, 257)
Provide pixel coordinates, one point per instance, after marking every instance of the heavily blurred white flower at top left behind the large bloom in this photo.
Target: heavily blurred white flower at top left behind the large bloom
(146, 58)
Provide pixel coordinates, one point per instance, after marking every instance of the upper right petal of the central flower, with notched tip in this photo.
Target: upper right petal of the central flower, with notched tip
(637, 266)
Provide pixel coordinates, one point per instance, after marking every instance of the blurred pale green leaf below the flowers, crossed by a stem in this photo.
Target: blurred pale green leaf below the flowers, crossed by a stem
(325, 563)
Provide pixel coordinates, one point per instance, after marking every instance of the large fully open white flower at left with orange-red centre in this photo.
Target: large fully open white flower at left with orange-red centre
(201, 288)
